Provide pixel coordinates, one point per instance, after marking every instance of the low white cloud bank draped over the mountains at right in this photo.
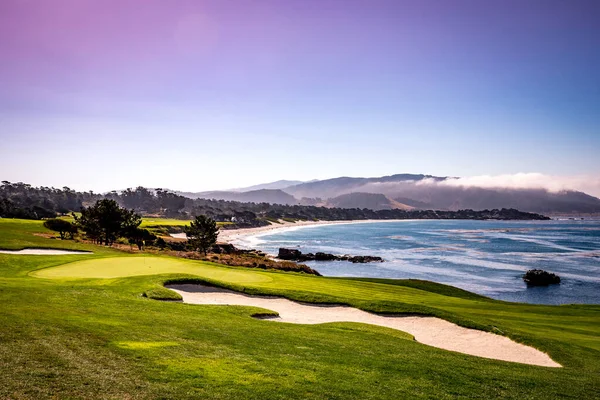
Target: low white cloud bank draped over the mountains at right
(554, 183)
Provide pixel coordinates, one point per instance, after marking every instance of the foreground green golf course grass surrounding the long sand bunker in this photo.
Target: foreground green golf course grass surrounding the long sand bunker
(79, 327)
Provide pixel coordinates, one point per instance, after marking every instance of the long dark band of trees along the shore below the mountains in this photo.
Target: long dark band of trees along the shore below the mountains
(19, 200)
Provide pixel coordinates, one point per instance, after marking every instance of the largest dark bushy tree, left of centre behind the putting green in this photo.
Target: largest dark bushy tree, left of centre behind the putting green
(105, 221)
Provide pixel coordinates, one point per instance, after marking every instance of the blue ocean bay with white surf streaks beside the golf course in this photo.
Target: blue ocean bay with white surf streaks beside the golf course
(485, 257)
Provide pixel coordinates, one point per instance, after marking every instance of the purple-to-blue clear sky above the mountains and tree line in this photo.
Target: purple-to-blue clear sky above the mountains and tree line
(205, 95)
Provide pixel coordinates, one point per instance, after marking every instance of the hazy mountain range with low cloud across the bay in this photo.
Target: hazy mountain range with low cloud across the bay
(408, 191)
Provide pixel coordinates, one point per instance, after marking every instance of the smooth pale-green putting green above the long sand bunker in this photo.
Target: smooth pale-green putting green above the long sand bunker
(119, 267)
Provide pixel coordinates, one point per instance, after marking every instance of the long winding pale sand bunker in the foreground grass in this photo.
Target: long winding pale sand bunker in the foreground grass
(432, 331)
